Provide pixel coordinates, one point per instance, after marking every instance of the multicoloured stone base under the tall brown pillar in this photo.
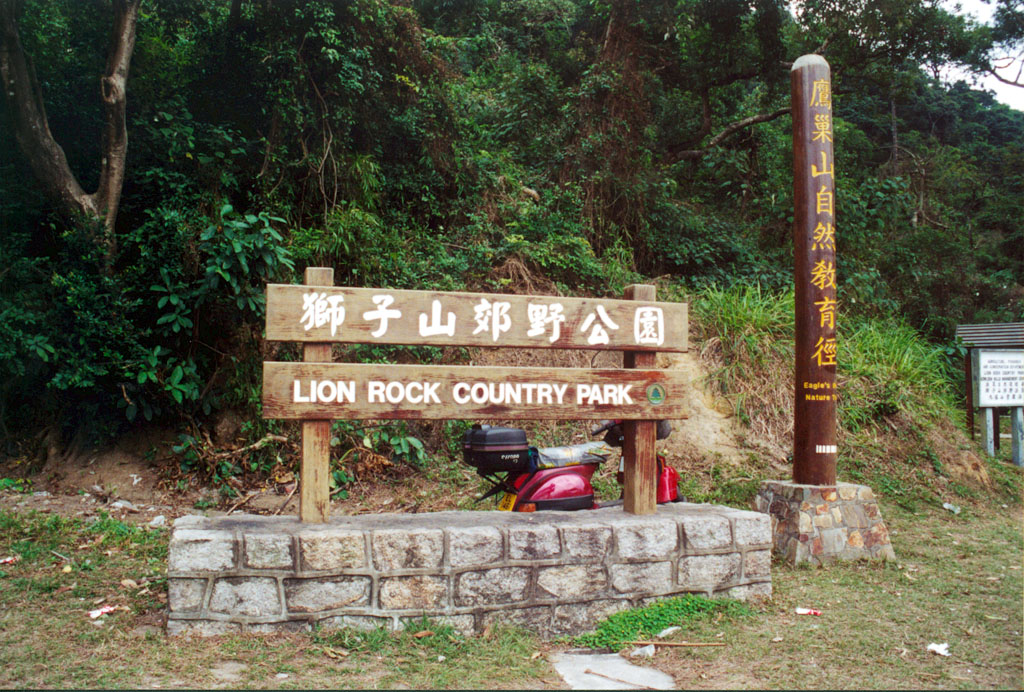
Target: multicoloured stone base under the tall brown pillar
(825, 524)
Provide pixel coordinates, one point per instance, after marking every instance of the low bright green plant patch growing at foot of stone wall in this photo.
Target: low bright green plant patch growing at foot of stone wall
(648, 622)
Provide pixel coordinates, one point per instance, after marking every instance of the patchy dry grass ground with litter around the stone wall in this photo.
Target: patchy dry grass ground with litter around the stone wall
(958, 581)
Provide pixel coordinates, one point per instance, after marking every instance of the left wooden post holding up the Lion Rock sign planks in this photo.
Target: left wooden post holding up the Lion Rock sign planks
(315, 490)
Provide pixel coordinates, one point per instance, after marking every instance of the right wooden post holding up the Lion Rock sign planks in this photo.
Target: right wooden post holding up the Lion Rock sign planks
(639, 454)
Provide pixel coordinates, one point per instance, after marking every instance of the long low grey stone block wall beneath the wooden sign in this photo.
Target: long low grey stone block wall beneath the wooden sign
(557, 573)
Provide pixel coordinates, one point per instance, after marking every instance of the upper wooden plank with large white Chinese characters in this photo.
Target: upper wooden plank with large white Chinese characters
(423, 318)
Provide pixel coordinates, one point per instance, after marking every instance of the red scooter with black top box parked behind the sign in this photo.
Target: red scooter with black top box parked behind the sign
(530, 480)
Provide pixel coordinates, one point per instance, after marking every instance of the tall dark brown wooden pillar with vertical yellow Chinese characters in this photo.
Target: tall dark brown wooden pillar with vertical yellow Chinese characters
(815, 250)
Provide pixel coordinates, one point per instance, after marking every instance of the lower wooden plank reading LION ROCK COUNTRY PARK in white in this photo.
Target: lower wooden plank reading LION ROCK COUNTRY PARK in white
(313, 392)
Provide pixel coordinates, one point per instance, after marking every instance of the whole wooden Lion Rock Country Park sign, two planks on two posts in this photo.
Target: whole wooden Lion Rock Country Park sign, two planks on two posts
(318, 391)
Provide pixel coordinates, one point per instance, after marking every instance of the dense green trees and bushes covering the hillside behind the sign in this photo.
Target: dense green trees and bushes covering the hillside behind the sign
(546, 146)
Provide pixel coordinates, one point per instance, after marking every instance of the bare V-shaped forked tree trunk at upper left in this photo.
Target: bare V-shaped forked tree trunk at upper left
(24, 97)
